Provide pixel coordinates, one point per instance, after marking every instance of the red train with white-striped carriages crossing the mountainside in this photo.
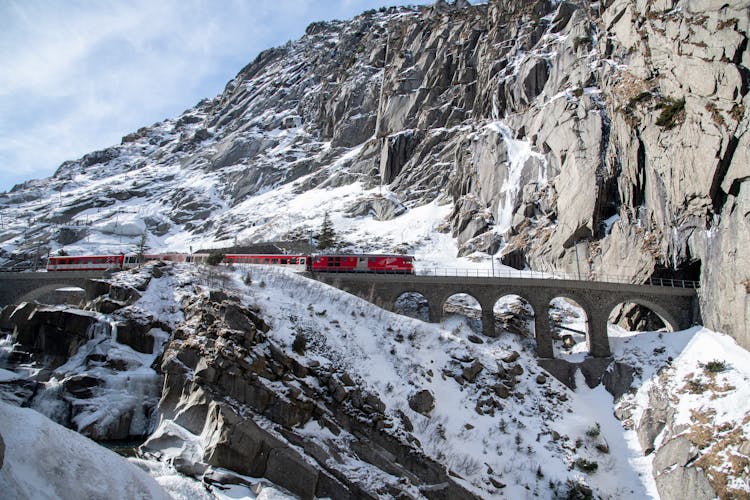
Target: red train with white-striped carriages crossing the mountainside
(349, 263)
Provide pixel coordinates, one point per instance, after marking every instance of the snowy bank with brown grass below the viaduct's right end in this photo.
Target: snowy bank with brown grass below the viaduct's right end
(707, 376)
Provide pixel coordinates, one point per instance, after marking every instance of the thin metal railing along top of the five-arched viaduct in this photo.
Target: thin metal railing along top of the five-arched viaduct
(507, 273)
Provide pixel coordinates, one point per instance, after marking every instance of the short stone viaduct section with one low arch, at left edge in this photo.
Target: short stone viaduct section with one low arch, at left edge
(30, 286)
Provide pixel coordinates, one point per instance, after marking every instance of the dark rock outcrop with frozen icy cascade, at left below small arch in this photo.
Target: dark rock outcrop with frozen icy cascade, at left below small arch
(90, 372)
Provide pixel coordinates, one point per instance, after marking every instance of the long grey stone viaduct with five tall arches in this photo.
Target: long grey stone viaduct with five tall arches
(677, 306)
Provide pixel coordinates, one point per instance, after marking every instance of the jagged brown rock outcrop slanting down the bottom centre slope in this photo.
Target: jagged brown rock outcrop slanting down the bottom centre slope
(224, 379)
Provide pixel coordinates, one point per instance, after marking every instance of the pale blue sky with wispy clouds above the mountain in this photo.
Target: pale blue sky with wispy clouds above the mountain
(77, 75)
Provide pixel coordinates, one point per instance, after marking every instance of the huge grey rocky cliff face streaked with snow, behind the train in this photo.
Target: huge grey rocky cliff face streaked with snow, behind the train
(610, 134)
